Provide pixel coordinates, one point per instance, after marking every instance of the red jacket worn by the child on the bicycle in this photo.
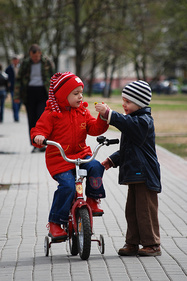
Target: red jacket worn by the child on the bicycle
(70, 130)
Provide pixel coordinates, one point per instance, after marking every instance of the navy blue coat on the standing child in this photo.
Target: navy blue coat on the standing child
(137, 159)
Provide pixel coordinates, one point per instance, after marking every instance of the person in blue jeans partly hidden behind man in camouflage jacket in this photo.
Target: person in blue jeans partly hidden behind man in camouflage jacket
(12, 71)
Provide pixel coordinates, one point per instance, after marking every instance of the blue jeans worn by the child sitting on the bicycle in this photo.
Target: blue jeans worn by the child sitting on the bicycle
(65, 193)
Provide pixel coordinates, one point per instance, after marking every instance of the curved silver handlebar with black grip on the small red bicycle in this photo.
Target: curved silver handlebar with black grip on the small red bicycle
(101, 140)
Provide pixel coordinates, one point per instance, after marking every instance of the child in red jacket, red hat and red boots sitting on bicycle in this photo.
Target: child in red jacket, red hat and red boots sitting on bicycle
(67, 121)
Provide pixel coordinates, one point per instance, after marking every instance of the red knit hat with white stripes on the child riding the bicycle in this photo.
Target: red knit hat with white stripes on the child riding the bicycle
(61, 85)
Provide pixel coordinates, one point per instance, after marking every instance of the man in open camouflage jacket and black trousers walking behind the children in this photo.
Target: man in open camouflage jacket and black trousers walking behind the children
(32, 85)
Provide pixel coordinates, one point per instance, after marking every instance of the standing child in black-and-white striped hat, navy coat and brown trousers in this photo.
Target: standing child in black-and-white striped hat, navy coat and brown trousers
(138, 168)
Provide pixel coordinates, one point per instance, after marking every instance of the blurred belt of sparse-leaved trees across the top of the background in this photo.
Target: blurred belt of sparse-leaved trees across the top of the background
(102, 32)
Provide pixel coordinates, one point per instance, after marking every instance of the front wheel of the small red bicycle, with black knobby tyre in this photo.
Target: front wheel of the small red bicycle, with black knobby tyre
(84, 233)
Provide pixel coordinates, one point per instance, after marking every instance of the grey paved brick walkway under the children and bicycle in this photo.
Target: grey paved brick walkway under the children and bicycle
(26, 191)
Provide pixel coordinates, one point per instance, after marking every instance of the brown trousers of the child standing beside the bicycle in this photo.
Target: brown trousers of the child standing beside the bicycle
(142, 216)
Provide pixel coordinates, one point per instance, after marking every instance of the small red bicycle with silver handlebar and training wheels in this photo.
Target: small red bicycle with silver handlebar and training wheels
(80, 222)
